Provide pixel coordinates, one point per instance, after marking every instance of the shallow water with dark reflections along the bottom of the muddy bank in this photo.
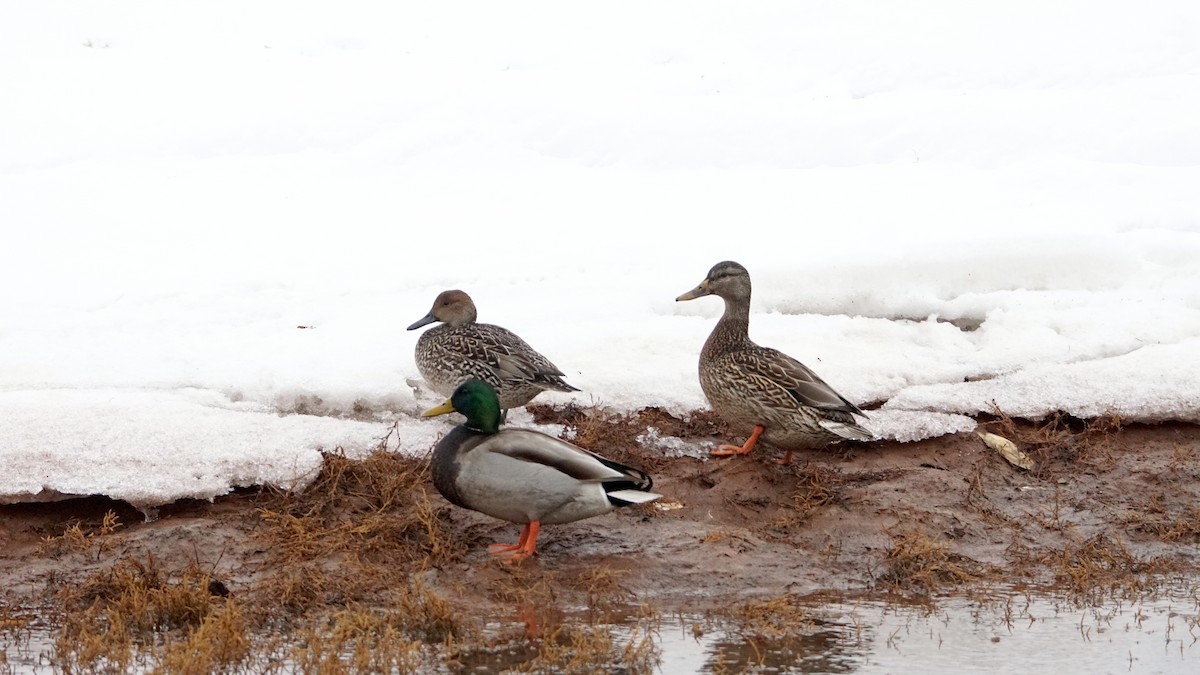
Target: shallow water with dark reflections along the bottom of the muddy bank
(1004, 632)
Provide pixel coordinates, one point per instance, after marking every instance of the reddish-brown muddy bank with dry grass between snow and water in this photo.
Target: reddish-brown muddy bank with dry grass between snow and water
(370, 549)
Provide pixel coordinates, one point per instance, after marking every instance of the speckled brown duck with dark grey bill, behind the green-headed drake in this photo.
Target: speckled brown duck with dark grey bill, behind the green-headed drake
(461, 350)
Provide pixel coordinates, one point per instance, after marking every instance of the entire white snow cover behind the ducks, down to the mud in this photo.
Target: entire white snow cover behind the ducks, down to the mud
(219, 218)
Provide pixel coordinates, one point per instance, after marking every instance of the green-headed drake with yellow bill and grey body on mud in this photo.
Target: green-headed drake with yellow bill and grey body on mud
(524, 476)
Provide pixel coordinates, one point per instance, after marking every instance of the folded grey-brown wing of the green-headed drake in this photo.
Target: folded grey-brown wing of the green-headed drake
(524, 445)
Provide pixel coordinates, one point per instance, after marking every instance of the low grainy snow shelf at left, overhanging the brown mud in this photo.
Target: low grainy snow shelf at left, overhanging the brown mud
(145, 446)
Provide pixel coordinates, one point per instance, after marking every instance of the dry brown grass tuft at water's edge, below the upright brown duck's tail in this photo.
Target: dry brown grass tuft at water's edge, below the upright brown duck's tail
(919, 563)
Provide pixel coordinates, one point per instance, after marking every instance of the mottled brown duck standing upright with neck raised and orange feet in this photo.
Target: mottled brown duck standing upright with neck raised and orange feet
(763, 391)
